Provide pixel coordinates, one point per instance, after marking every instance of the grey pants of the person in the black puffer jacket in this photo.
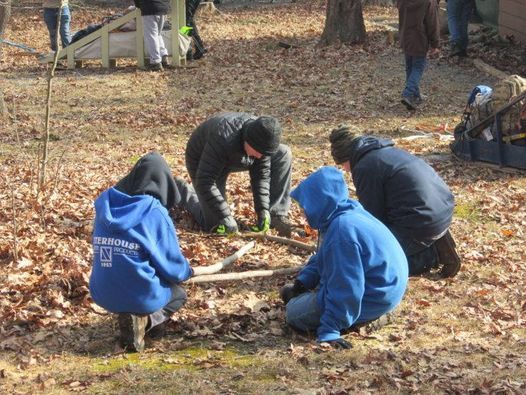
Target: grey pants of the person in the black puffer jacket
(280, 178)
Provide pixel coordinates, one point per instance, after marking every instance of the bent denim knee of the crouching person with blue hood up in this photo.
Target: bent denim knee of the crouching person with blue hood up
(303, 312)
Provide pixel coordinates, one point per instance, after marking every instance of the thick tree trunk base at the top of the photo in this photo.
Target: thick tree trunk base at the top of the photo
(344, 23)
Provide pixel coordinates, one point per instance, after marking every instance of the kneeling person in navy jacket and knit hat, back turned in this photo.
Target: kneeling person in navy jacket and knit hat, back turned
(406, 194)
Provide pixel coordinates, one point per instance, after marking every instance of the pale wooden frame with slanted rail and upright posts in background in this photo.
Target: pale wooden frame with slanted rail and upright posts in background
(178, 20)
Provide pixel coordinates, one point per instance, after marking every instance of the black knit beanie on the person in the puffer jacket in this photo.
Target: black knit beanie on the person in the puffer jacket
(263, 134)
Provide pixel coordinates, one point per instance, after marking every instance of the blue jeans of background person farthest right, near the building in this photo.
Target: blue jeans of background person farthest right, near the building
(458, 13)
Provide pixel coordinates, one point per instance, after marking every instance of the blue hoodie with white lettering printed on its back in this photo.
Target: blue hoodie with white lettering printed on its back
(136, 255)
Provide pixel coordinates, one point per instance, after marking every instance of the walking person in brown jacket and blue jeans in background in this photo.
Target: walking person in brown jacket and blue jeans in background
(419, 31)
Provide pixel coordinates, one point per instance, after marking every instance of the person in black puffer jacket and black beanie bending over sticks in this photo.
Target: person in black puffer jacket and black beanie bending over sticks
(232, 142)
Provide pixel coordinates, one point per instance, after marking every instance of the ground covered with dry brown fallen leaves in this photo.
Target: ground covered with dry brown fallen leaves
(465, 334)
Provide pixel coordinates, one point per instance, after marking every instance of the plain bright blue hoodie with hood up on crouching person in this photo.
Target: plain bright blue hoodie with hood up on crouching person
(360, 268)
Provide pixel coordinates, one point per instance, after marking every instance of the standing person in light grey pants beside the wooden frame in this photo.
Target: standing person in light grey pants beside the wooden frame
(153, 17)
